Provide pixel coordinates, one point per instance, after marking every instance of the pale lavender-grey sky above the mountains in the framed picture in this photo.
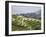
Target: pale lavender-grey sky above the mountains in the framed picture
(24, 9)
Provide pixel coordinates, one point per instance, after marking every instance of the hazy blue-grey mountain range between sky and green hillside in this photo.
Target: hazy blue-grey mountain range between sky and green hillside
(36, 15)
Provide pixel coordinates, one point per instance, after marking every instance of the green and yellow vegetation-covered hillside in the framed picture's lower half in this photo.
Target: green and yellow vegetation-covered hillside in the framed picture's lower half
(18, 24)
